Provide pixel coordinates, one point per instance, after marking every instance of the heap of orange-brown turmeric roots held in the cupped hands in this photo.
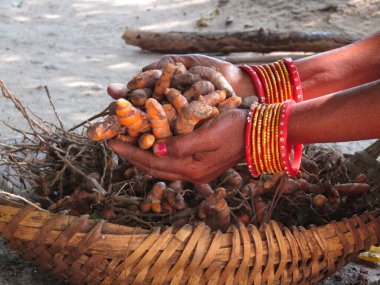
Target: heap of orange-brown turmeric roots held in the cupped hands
(162, 103)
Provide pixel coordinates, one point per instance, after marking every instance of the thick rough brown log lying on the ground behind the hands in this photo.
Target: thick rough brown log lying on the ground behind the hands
(253, 40)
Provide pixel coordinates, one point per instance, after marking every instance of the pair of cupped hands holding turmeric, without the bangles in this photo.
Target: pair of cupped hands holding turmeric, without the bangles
(205, 153)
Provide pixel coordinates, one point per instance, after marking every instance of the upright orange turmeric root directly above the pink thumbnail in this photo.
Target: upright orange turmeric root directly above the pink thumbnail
(158, 119)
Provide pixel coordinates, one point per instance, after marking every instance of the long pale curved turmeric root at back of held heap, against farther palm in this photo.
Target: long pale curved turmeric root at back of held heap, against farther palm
(216, 78)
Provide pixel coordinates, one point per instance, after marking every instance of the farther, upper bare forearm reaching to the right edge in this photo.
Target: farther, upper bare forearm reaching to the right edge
(341, 68)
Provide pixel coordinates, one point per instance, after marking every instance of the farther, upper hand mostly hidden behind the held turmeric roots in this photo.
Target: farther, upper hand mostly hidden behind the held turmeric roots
(239, 80)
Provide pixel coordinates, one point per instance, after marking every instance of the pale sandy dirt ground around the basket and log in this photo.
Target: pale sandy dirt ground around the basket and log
(75, 48)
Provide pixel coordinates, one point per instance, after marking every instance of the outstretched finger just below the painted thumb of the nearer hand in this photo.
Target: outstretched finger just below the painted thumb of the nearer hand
(144, 158)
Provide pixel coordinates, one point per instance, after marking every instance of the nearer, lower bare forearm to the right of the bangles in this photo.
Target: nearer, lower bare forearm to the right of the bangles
(348, 115)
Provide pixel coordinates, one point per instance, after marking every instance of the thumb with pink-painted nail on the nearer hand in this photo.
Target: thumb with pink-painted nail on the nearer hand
(181, 146)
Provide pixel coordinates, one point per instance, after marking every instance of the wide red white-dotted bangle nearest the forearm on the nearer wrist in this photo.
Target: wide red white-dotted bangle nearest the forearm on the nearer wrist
(291, 168)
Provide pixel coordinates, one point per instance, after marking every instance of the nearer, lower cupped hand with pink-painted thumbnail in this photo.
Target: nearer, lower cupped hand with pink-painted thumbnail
(198, 157)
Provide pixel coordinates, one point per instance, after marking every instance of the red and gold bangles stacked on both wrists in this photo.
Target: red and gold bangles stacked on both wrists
(278, 87)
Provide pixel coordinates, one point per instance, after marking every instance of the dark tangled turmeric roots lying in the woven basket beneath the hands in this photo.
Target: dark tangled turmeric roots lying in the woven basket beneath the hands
(321, 192)
